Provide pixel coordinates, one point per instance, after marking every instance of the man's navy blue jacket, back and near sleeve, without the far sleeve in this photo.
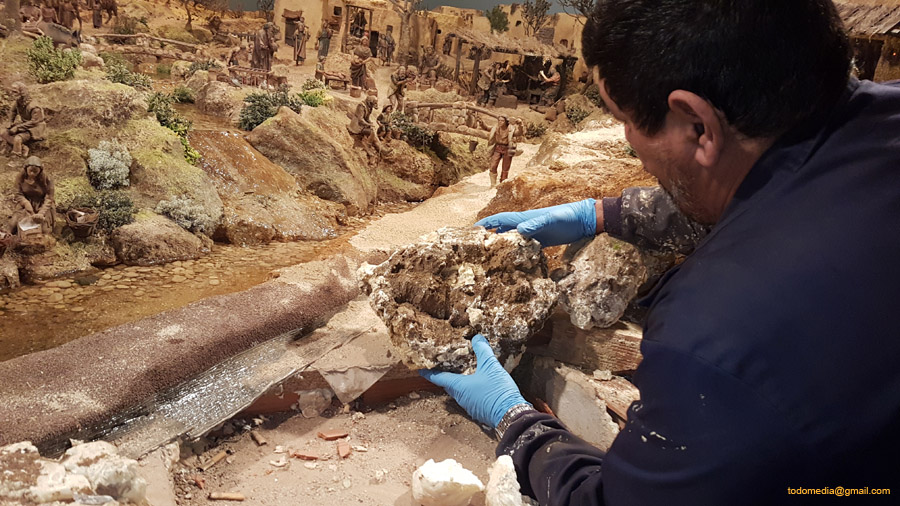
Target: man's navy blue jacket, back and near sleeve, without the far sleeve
(772, 354)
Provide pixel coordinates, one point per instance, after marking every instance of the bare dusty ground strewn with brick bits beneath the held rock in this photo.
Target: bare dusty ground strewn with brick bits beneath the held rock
(396, 439)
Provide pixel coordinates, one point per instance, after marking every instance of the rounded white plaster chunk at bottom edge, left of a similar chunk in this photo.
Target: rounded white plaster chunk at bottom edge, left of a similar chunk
(445, 483)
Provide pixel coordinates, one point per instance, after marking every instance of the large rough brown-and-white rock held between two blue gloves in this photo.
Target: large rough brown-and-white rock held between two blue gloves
(438, 293)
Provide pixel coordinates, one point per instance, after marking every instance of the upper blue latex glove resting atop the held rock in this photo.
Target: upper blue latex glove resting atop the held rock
(550, 226)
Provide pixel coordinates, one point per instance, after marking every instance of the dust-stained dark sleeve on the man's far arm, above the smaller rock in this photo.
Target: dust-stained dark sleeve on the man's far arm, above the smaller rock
(649, 218)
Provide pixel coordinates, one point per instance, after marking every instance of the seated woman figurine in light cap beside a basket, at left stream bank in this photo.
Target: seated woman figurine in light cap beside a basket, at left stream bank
(34, 193)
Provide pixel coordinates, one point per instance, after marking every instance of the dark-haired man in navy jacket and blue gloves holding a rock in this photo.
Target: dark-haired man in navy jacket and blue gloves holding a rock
(770, 354)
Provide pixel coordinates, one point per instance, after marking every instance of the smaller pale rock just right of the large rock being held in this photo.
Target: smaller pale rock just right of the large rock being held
(603, 278)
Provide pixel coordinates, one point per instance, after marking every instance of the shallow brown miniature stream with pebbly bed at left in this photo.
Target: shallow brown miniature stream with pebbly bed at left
(52, 313)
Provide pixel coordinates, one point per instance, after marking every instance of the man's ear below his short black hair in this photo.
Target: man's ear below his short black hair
(701, 124)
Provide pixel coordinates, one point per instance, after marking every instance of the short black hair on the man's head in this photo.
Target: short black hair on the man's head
(768, 65)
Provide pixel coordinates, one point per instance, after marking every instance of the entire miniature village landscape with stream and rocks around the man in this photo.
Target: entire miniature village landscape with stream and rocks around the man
(208, 220)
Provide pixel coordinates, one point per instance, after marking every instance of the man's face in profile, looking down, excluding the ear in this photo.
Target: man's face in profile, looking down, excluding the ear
(666, 155)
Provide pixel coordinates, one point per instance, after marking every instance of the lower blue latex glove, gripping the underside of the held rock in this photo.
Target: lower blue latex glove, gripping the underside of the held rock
(488, 393)
